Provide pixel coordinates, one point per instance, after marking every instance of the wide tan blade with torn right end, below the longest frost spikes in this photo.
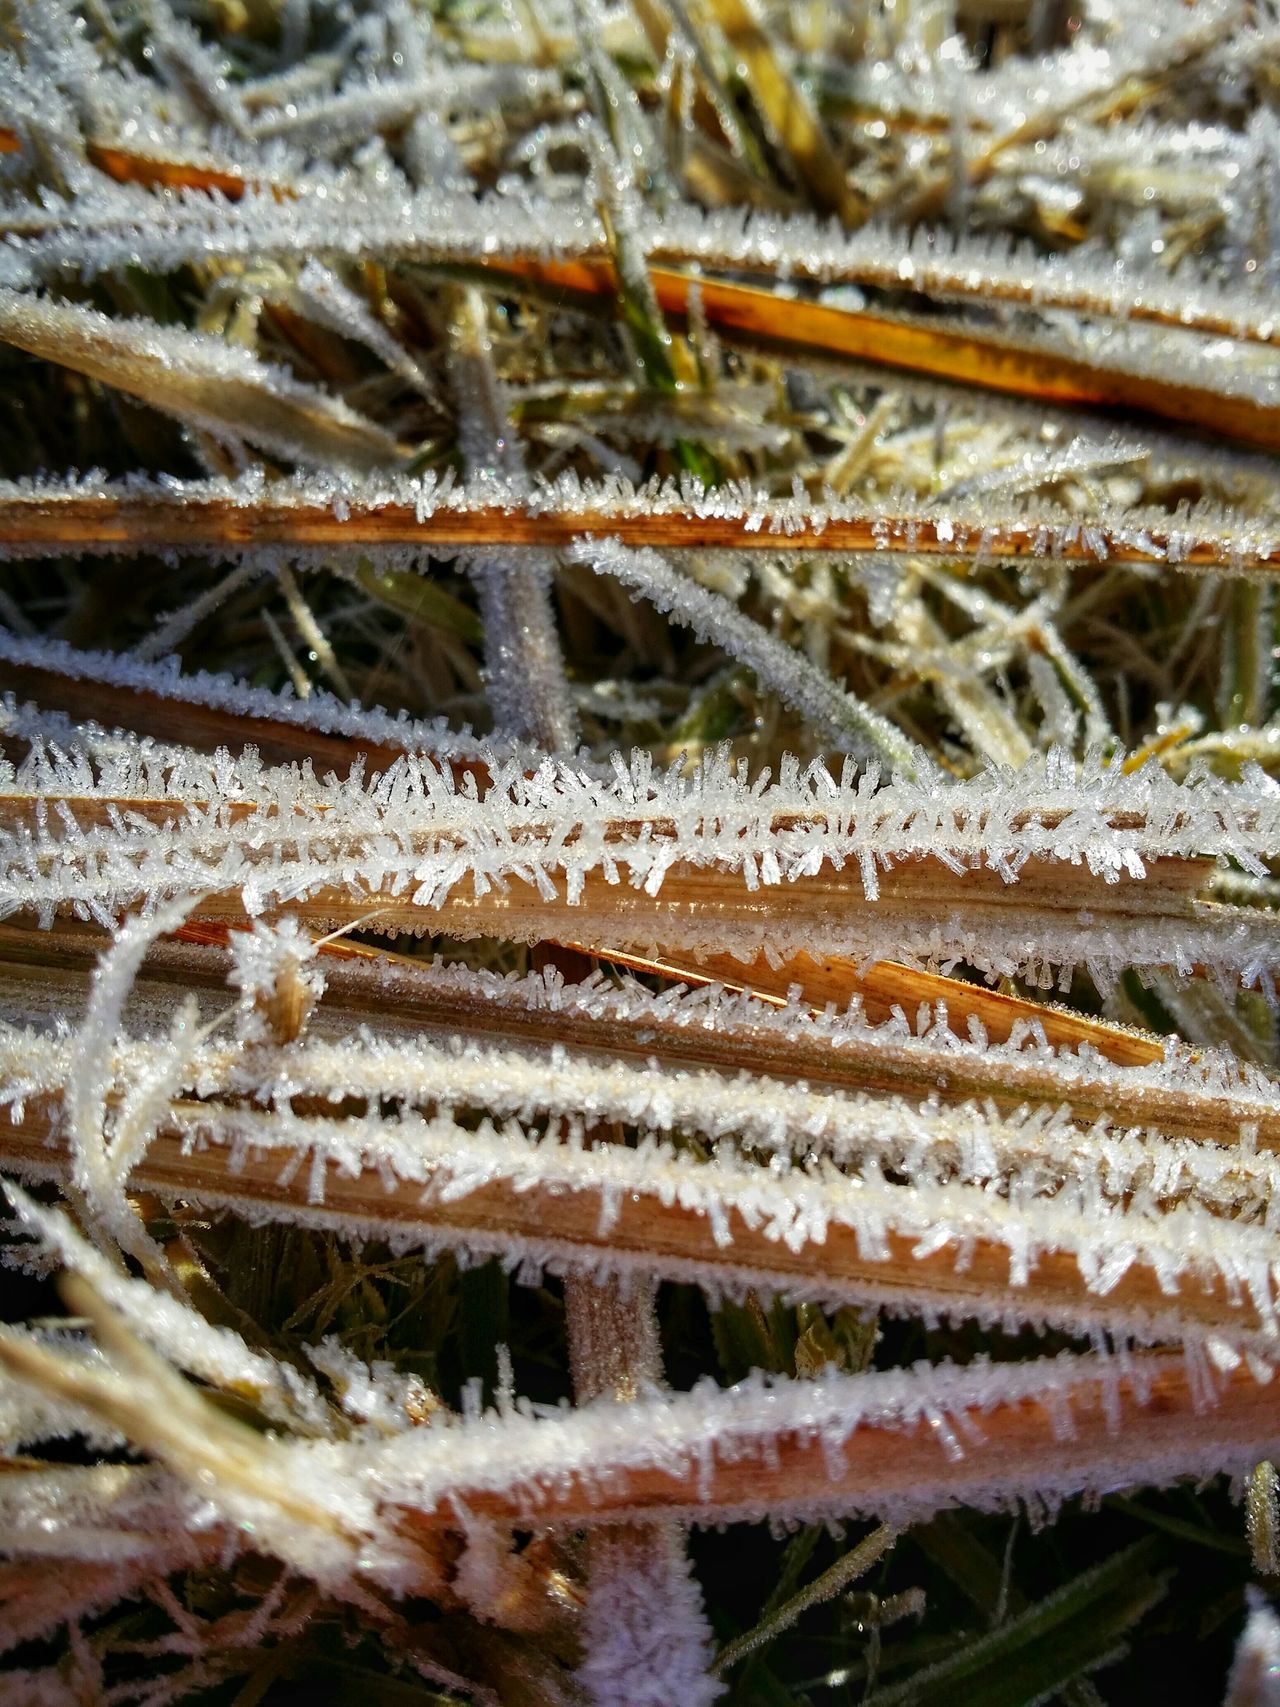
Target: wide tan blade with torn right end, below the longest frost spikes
(695, 900)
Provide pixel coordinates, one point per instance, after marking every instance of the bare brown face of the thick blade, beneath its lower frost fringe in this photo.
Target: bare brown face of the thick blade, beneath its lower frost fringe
(653, 1238)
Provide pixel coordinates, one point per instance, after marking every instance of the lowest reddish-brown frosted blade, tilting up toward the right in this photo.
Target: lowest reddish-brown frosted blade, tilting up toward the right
(897, 1443)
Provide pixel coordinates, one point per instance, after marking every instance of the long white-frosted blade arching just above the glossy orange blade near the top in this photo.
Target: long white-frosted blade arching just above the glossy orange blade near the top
(933, 264)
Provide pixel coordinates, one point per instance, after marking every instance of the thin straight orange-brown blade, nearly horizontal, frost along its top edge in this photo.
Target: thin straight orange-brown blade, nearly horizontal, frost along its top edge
(397, 515)
